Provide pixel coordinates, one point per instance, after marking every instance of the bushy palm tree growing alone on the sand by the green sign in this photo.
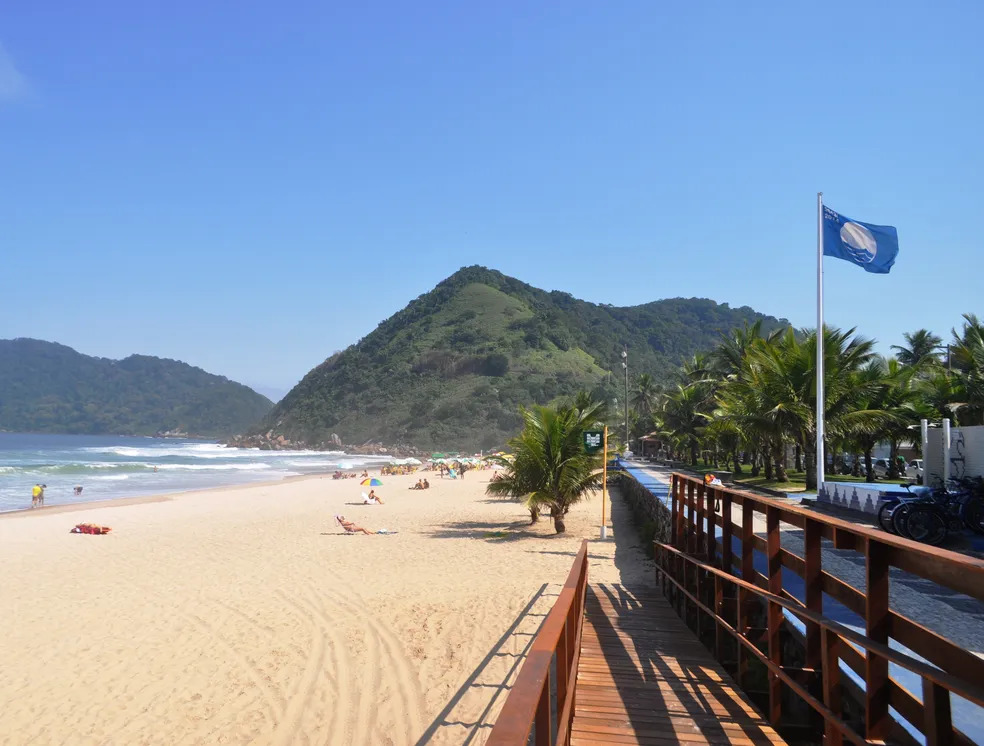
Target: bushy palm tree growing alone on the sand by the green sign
(550, 468)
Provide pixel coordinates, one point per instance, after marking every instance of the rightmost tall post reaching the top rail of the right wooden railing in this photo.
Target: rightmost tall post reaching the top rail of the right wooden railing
(876, 620)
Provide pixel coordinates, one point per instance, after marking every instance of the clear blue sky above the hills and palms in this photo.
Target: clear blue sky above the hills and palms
(249, 186)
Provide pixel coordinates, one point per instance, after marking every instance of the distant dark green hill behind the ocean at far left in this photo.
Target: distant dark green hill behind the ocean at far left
(48, 387)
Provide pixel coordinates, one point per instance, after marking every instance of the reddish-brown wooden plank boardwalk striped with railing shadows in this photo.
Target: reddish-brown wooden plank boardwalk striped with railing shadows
(644, 678)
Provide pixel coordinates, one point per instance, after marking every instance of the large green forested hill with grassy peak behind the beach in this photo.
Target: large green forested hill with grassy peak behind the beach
(452, 368)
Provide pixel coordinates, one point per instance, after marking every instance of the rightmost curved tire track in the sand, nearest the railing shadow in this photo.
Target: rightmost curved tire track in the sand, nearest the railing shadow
(407, 688)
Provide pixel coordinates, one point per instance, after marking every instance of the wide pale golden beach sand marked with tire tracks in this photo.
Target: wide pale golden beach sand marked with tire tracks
(244, 615)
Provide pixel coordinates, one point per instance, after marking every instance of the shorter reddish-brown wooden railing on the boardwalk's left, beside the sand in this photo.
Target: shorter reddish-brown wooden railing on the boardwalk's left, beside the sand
(546, 682)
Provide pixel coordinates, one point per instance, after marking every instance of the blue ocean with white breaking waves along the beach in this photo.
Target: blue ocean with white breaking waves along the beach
(109, 466)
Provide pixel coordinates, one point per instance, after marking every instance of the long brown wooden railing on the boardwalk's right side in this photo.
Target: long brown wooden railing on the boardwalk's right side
(698, 568)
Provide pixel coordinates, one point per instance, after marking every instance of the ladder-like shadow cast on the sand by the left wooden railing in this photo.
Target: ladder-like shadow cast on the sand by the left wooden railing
(521, 639)
